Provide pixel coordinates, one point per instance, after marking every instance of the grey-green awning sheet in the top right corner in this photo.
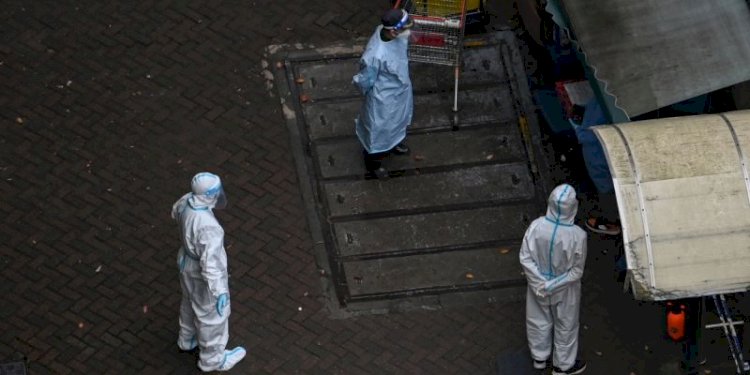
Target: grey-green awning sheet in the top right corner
(650, 54)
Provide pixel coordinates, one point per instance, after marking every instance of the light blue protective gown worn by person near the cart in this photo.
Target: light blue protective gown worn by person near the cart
(389, 103)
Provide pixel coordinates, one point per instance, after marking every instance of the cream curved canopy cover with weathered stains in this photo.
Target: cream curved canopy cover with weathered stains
(684, 200)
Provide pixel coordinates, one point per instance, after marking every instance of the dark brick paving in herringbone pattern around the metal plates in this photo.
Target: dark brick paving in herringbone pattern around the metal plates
(107, 109)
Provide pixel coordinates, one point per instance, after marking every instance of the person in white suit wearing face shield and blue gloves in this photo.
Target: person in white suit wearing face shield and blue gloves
(202, 261)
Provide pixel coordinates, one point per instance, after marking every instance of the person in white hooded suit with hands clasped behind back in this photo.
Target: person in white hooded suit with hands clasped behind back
(553, 254)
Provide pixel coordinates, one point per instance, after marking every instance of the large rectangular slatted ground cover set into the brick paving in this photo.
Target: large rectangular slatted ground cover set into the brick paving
(445, 228)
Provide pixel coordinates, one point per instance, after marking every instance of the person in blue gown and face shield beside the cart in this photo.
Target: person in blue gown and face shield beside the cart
(383, 78)
